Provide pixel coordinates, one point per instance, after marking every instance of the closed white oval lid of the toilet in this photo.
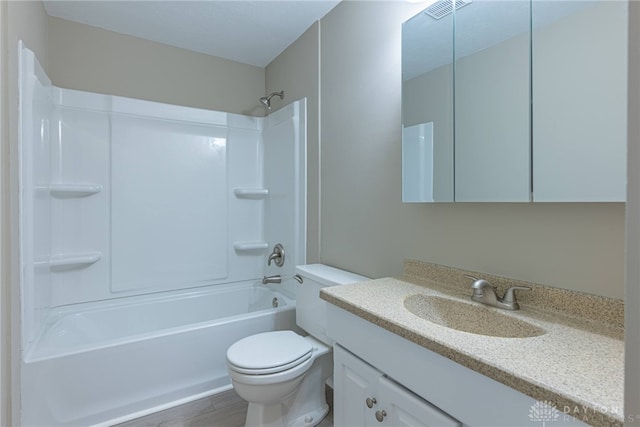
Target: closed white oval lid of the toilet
(269, 350)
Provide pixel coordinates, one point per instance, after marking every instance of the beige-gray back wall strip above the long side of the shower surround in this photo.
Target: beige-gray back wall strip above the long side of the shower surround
(96, 60)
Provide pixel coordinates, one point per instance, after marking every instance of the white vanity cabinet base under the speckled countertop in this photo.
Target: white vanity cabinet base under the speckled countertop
(415, 386)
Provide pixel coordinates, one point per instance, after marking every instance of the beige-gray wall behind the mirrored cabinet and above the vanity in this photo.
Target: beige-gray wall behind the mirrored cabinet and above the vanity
(364, 226)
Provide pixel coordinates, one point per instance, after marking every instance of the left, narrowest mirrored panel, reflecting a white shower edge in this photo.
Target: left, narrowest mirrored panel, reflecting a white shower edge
(427, 109)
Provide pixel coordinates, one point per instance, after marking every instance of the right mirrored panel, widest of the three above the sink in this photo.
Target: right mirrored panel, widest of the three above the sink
(579, 101)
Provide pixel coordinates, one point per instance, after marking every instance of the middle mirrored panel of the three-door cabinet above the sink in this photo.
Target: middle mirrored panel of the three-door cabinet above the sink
(492, 108)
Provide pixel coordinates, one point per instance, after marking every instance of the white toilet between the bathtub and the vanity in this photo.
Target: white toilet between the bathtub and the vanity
(282, 374)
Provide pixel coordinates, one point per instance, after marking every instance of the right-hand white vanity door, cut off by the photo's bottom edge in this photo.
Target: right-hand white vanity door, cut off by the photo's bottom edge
(403, 408)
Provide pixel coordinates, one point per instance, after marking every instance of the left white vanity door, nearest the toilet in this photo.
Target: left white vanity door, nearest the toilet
(355, 383)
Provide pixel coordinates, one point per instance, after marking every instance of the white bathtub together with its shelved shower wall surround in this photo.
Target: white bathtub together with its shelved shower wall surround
(144, 232)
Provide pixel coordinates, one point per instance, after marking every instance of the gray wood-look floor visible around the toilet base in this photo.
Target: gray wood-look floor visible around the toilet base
(222, 410)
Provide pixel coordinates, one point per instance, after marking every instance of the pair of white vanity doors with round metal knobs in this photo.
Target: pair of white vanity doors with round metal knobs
(364, 396)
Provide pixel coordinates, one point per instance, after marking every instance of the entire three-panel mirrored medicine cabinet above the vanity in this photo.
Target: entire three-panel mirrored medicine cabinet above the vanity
(515, 101)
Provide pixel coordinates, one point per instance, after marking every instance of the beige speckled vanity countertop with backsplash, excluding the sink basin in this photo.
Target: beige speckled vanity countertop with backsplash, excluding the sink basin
(578, 363)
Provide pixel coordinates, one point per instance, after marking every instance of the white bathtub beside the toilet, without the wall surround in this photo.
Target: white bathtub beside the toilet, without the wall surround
(108, 362)
